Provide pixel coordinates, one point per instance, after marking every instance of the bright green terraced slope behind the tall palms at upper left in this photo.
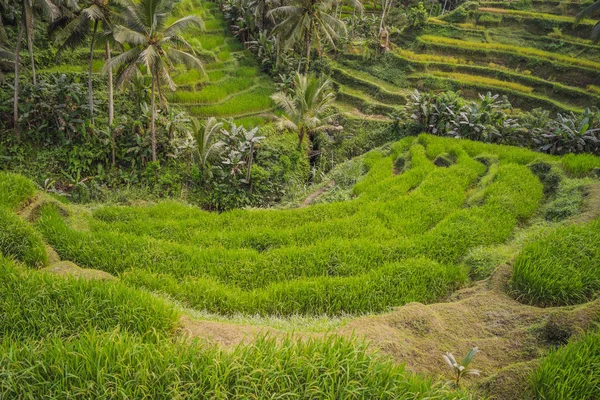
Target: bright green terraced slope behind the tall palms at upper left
(232, 85)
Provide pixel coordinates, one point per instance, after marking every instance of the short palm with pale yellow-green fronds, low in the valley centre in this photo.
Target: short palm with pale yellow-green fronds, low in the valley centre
(305, 106)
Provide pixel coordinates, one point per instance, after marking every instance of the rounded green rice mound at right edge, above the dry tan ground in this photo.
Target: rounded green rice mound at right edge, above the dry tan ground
(560, 268)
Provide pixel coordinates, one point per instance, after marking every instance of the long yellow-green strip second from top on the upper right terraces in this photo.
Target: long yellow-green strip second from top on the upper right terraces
(510, 48)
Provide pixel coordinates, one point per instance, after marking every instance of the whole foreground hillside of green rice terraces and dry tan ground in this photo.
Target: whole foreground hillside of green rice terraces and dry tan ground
(428, 215)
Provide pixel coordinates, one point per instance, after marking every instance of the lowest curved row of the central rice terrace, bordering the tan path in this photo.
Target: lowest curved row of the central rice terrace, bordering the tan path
(419, 280)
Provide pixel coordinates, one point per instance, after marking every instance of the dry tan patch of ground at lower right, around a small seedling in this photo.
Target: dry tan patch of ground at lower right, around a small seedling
(510, 335)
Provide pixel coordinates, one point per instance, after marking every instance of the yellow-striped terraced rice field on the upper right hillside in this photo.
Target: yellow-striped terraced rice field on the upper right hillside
(536, 57)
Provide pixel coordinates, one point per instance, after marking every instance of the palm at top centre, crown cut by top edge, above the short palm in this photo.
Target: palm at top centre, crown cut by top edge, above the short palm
(304, 20)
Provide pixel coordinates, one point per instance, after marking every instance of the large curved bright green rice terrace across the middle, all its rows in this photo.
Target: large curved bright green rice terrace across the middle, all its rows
(400, 240)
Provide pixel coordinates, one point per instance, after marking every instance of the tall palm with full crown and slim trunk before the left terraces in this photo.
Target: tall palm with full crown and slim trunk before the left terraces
(154, 47)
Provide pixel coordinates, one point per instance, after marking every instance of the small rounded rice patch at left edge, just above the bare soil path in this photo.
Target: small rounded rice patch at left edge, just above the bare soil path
(20, 241)
